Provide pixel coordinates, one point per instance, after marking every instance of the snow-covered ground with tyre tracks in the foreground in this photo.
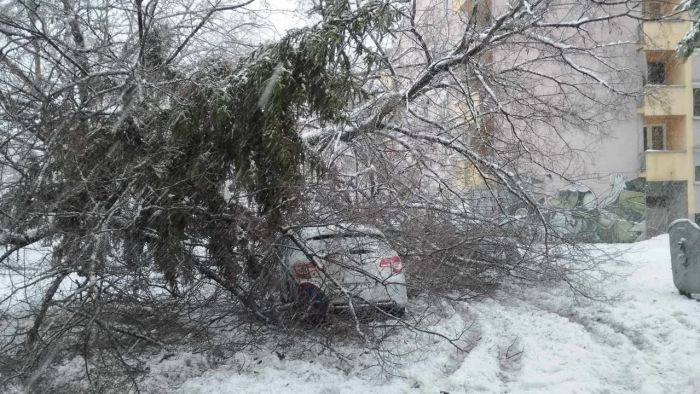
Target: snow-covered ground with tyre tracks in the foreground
(645, 341)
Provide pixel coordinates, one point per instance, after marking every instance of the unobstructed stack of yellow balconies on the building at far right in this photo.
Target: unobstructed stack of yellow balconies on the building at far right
(671, 119)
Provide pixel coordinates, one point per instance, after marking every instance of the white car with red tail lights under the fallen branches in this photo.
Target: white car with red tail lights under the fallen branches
(327, 267)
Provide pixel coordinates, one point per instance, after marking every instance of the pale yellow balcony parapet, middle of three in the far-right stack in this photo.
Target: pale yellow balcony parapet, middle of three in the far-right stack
(666, 100)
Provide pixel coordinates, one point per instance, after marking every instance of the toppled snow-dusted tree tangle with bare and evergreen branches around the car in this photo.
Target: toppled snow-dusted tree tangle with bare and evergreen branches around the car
(156, 174)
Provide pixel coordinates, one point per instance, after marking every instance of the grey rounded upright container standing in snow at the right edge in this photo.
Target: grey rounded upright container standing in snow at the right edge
(684, 237)
